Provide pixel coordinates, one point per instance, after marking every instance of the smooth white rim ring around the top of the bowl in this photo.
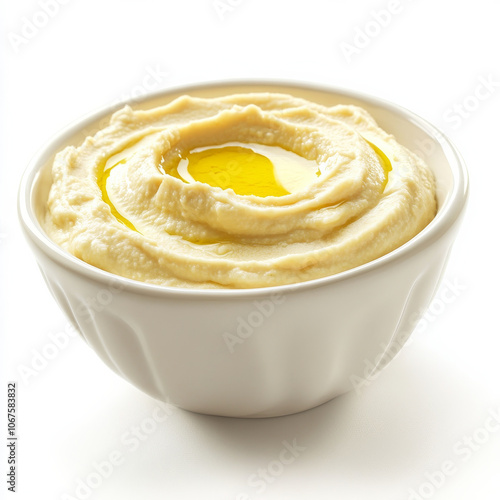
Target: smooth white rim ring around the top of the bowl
(444, 219)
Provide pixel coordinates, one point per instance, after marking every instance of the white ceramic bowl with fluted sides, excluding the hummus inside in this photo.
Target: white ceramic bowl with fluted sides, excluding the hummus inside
(259, 352)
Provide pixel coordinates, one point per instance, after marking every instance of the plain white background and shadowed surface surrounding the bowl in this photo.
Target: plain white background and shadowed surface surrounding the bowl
(382, 442)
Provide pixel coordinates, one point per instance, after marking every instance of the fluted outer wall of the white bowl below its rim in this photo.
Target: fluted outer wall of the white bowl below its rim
(308, 347)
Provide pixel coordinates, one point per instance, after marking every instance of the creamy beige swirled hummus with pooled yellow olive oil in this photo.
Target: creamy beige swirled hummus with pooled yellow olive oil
(247, 190)
